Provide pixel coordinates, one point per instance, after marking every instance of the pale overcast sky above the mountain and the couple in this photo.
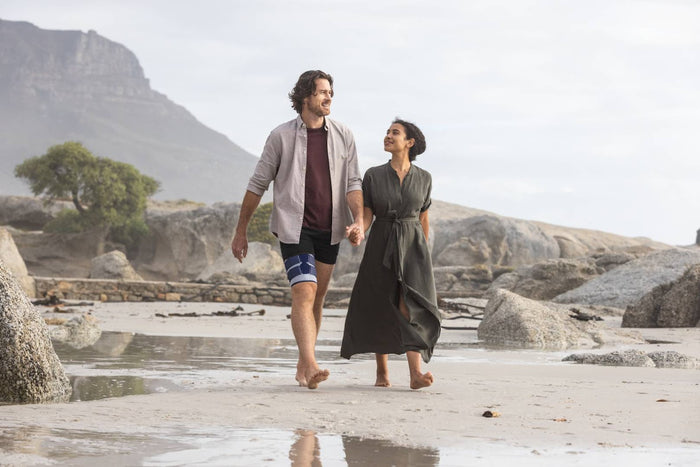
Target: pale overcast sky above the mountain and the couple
(578, 113)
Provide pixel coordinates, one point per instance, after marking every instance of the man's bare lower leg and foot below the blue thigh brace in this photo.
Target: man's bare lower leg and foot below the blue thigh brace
(305, 332)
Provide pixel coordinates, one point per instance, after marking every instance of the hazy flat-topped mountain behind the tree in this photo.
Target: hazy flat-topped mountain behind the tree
(57, 86)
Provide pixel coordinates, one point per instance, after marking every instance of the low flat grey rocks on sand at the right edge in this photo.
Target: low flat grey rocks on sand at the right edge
(638, 358)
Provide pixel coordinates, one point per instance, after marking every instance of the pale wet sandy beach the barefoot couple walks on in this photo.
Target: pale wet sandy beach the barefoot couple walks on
(549, 412)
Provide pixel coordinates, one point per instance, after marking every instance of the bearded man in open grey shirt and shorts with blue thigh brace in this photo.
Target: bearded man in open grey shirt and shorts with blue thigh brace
(313, 162)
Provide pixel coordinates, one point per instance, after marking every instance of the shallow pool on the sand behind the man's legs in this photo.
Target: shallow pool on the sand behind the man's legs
(122, 364)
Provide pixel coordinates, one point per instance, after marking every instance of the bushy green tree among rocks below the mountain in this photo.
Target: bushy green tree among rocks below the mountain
(109, 196)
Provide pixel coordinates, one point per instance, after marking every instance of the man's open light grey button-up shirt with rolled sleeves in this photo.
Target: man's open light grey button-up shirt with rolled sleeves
(284, 161)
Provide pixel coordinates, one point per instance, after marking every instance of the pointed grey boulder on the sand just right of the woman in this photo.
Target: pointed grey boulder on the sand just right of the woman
(515, 321)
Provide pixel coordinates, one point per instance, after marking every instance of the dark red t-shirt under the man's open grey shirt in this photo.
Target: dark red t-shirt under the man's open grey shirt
(318, 207)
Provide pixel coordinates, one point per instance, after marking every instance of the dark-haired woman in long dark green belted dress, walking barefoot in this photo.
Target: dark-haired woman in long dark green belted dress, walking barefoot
(393, 307)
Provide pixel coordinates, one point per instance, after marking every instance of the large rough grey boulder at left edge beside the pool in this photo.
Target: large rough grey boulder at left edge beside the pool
(30, 370)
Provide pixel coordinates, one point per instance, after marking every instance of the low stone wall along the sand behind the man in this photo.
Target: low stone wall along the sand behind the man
(109, 290)
